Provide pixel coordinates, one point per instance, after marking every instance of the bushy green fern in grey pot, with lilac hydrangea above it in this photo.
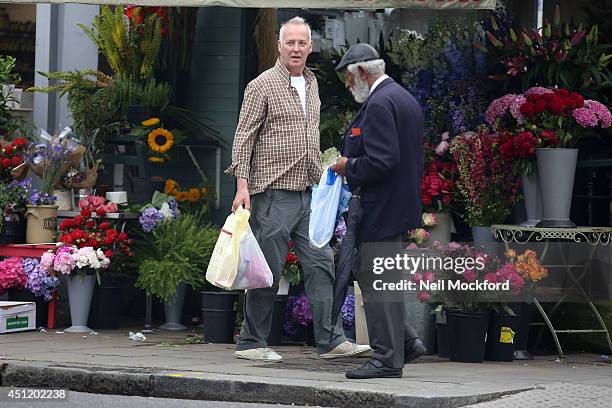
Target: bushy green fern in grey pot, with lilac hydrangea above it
(174, 252)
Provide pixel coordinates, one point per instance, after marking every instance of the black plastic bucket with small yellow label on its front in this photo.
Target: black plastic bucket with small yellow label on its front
(500, 337)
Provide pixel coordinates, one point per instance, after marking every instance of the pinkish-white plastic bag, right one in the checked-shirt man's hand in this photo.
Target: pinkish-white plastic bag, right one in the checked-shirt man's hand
(253, 270)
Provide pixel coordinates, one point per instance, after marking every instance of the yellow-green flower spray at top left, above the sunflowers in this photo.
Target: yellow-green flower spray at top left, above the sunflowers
(131, 49)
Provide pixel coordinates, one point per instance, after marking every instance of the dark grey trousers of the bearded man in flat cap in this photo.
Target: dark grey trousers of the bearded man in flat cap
(388, 328)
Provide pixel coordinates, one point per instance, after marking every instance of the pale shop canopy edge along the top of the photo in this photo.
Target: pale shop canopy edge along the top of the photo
(324, 4)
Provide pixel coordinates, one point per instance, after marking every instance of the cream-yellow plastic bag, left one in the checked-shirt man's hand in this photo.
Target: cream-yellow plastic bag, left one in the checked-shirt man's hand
(223, 266)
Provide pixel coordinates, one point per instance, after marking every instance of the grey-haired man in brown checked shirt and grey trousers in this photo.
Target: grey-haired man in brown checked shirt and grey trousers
(276, 159)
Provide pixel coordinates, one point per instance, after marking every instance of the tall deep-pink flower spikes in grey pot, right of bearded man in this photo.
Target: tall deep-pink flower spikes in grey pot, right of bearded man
(487, 185)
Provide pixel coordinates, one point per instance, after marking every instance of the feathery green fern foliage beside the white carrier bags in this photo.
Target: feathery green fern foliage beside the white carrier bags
(177, 251)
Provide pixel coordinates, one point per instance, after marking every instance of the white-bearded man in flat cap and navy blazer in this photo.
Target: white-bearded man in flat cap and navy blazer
(382, 157)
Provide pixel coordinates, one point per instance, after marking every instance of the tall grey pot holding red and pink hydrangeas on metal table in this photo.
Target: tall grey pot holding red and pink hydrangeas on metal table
(556, 171)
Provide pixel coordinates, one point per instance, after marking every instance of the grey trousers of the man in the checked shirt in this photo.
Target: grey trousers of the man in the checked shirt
(278, 216)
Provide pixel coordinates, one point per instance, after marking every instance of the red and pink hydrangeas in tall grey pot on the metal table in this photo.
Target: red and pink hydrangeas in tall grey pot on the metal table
(549, 124)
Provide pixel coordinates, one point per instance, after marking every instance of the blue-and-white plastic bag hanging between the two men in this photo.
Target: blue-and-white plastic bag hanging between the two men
(324, 208)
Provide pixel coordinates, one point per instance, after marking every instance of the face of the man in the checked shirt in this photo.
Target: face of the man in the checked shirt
(294, 47)
